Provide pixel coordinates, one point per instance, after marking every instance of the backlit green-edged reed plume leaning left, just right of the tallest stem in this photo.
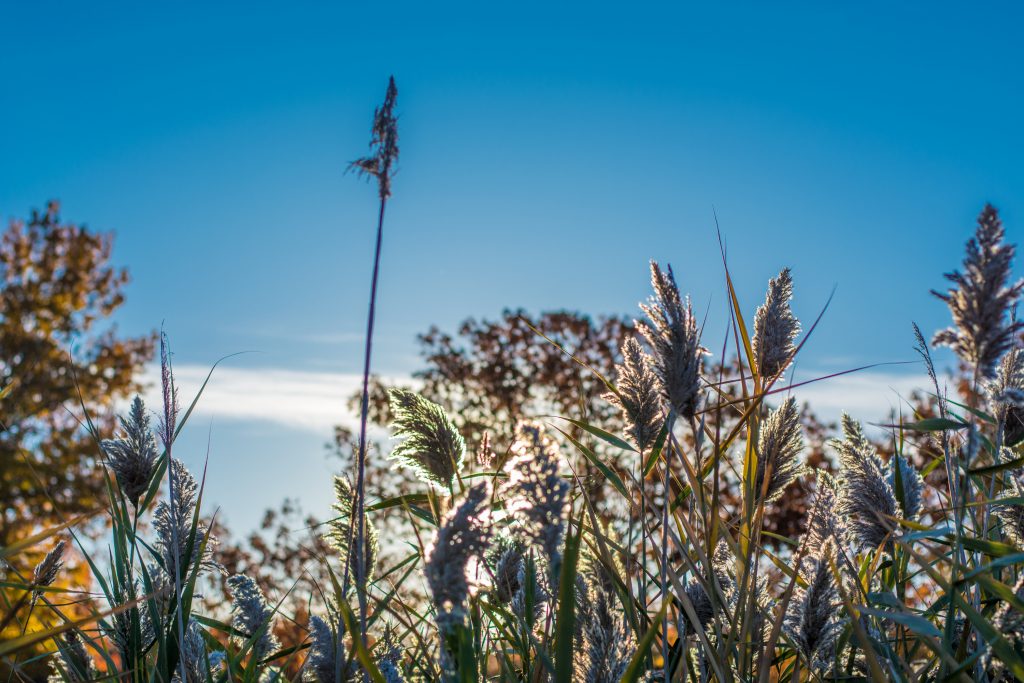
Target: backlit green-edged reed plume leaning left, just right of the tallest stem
(434, 447)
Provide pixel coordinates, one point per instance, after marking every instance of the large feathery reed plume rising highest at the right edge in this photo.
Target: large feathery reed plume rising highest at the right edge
(983, 298)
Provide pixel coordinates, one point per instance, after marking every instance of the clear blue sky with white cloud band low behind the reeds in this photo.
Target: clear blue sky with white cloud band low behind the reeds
(548, 153)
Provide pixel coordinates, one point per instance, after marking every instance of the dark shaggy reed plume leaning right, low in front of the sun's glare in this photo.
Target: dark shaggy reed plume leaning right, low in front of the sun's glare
(462, 535)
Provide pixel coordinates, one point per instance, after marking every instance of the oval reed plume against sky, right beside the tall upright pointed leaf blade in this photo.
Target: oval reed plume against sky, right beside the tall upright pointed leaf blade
(776, 328)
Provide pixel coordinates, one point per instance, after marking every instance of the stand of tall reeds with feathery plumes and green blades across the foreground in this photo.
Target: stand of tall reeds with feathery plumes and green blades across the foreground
(911, 569)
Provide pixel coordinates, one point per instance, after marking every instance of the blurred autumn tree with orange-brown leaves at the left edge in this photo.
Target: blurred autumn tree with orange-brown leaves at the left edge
(61, 360)
